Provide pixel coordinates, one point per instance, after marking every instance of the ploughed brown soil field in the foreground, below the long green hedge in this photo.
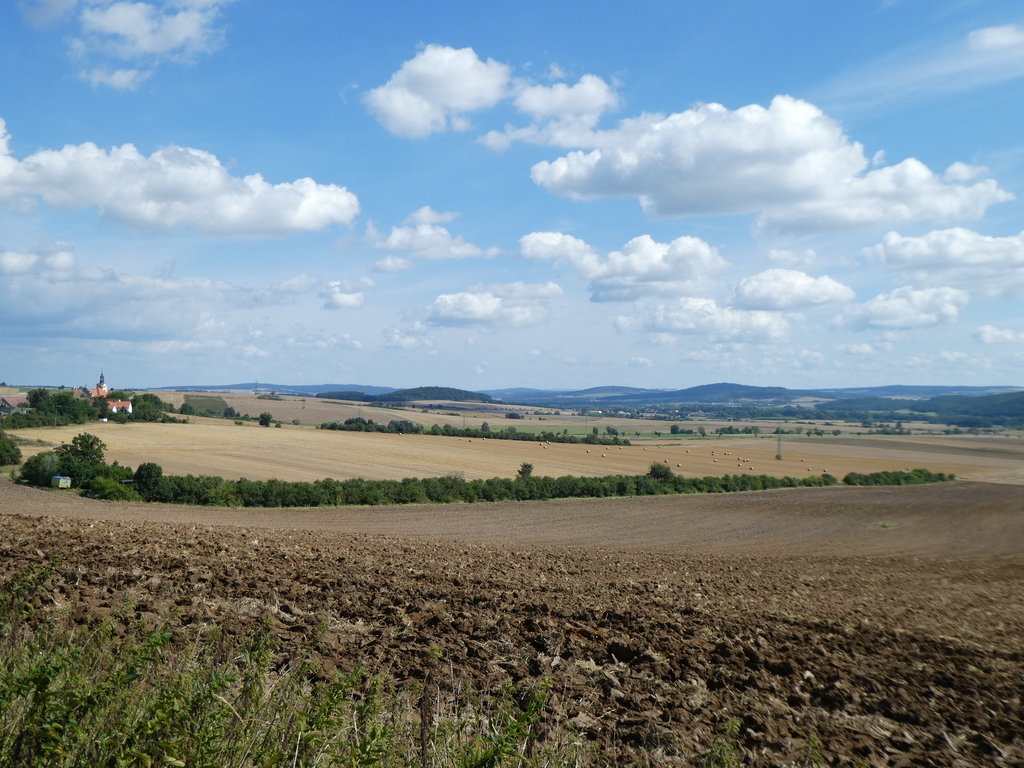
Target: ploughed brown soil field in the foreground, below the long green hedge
(887, 623)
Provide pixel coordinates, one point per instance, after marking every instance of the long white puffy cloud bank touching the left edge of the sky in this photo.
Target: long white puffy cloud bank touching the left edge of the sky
(175, 187)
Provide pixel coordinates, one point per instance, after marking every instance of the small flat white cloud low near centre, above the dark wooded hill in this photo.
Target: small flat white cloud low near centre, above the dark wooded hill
(504, 305)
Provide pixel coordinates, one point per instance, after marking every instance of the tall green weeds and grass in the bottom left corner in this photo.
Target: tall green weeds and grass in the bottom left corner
(121, 694)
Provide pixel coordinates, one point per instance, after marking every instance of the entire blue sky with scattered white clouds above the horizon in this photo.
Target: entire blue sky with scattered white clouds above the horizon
(496, 195)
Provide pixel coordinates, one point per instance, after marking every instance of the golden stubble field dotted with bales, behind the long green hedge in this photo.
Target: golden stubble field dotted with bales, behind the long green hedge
(216, 447)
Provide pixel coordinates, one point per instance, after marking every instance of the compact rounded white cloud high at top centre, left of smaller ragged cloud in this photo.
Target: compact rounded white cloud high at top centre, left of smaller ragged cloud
(435, 90)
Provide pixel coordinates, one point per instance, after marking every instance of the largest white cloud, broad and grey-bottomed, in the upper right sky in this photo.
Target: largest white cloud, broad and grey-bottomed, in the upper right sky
(791, 163)
